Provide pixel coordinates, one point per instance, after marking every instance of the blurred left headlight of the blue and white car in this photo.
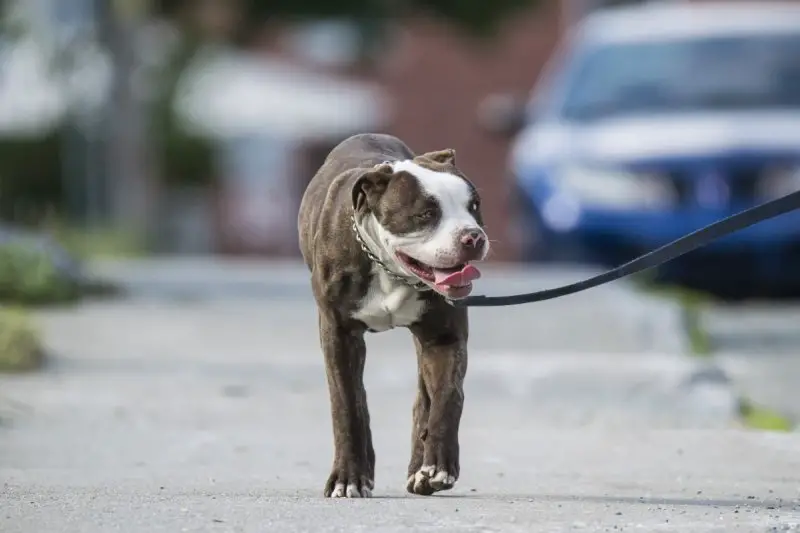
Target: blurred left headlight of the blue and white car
(616, 188)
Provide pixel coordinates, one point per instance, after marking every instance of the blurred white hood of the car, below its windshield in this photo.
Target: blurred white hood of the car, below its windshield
(633, 139)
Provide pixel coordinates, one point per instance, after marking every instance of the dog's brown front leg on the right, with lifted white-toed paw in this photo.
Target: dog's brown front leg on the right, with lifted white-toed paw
(442, 363)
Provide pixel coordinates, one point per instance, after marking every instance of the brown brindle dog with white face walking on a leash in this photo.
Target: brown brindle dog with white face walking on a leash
(388, 237)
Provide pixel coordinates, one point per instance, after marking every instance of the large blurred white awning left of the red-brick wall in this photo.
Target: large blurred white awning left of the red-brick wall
(231, 94)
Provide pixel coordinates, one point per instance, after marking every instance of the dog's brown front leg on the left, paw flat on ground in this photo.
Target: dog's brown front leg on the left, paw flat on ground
(353, 473)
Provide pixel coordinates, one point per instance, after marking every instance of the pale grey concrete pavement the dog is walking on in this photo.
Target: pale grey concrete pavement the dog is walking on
(207, 411)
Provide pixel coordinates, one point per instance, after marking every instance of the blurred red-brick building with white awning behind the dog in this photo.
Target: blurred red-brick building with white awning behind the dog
(277, 109)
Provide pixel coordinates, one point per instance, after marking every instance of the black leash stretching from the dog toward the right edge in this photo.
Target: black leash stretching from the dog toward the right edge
(668, 252)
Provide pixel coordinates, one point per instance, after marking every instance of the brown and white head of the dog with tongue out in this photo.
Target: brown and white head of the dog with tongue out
(426, 216)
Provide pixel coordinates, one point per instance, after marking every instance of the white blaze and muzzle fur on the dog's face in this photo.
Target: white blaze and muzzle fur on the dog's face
(438, 246)
